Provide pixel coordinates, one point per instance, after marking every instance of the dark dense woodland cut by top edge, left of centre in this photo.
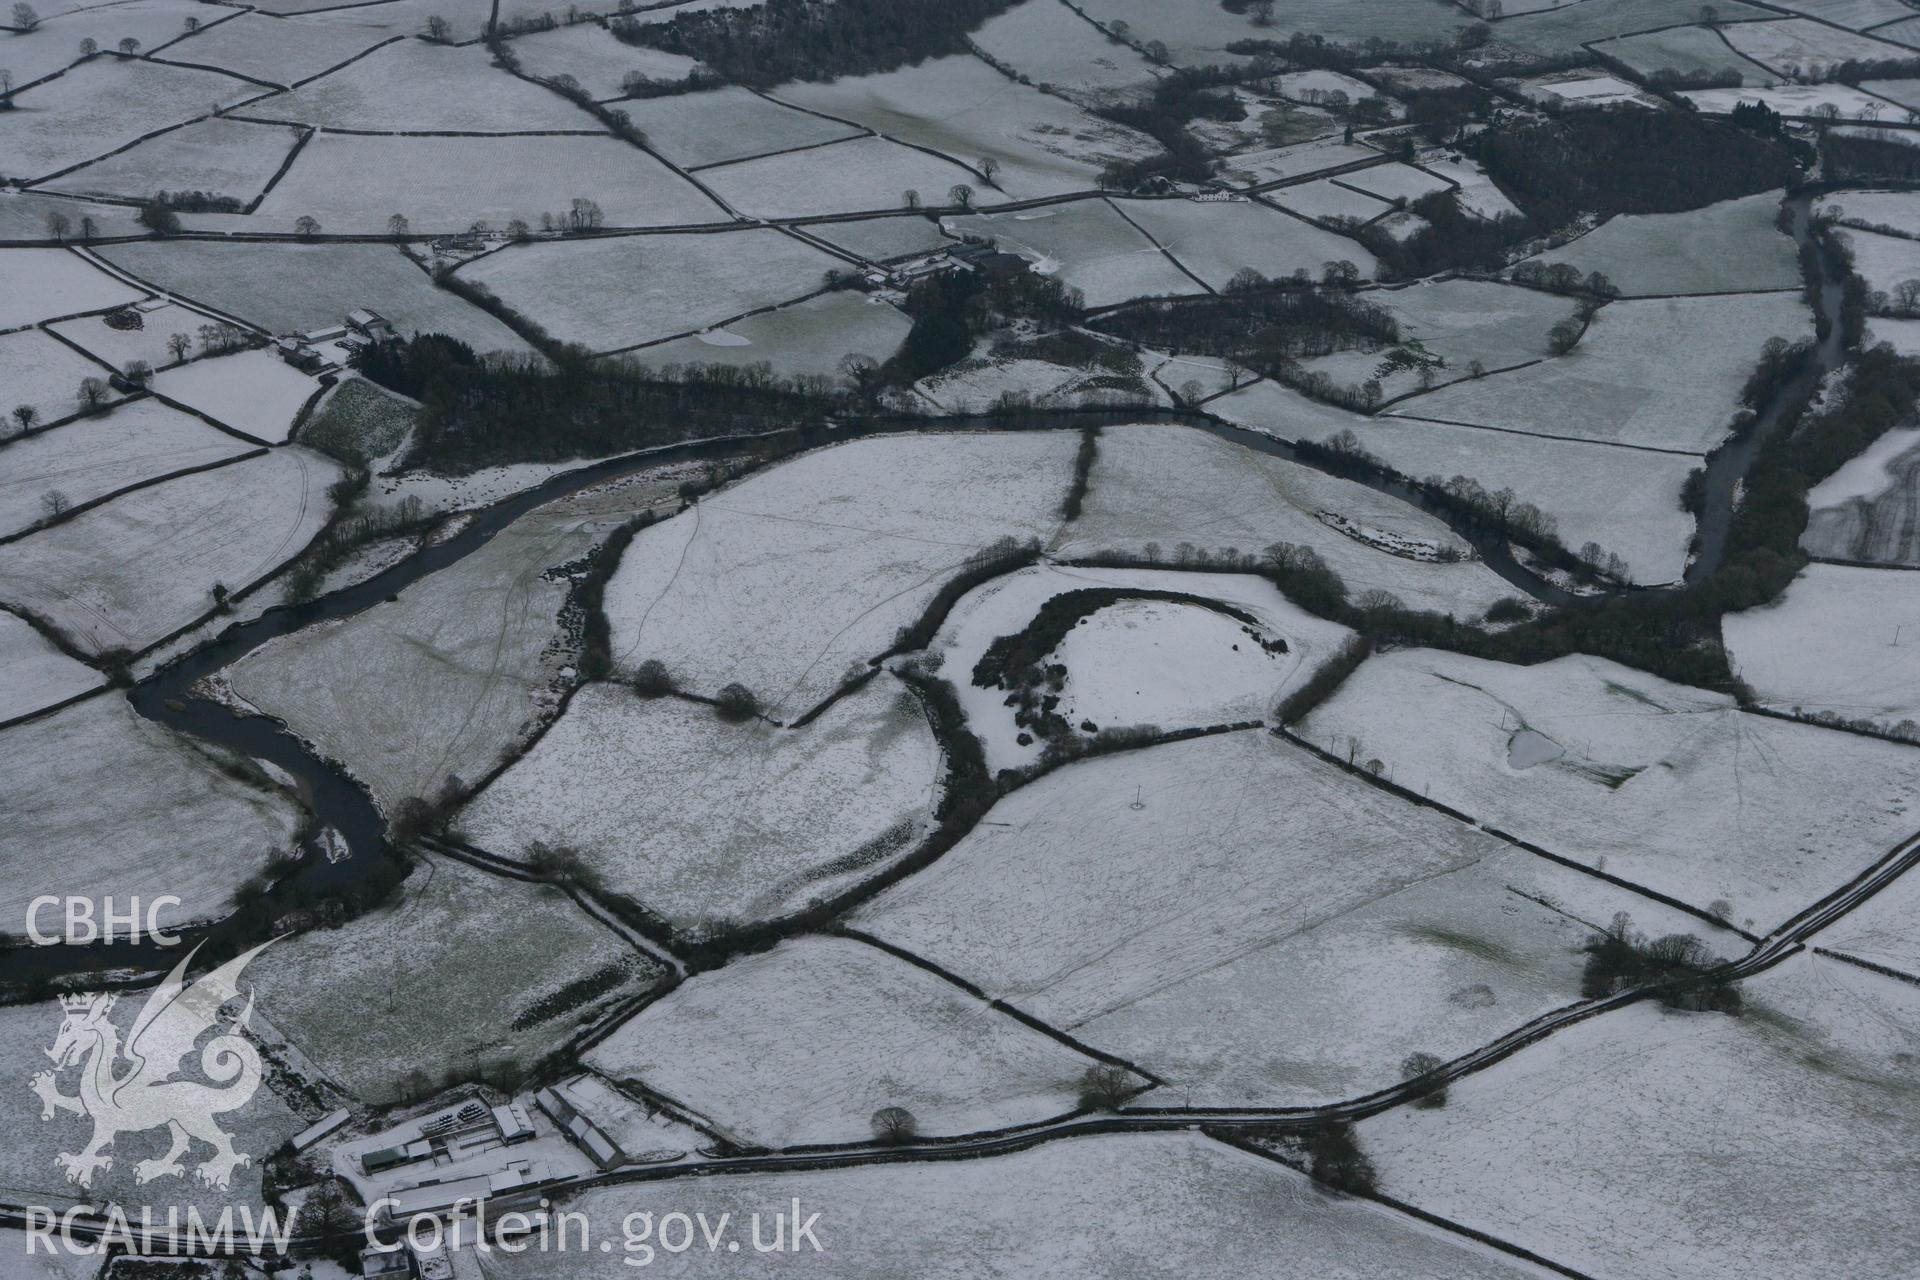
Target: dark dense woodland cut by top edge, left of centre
(811, 41)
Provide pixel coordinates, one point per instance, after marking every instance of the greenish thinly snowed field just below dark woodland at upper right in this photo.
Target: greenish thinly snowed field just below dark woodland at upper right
(1731, 247)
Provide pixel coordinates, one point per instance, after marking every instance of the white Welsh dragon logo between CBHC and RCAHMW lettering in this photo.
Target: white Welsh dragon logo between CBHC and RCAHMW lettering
(147, 1095)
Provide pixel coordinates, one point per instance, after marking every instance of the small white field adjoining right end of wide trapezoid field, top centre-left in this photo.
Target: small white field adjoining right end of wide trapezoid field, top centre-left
(846, 178)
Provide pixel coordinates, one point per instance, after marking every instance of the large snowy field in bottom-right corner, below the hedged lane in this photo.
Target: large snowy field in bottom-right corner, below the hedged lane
(1689, 1147)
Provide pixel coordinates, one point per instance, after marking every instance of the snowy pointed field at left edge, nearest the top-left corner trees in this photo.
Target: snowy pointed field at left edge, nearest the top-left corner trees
(105, 105)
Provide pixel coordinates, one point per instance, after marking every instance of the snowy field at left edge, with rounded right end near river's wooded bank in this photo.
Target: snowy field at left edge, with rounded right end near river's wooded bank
(133, 571)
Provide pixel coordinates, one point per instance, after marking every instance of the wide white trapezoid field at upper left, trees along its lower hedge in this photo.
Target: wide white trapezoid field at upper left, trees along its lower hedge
(444, 185)
